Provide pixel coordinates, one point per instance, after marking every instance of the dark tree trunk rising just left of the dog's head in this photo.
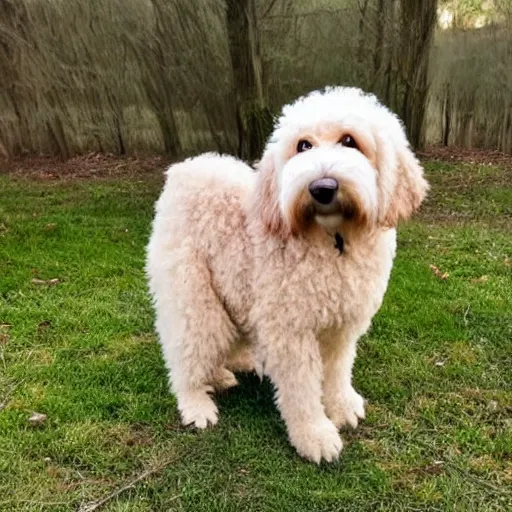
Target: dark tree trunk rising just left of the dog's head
(253, 117)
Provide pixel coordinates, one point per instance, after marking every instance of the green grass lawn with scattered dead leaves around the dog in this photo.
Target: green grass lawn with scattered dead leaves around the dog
(436, 367)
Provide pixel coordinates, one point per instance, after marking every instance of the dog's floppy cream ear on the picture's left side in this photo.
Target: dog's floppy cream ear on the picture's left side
(265, 204)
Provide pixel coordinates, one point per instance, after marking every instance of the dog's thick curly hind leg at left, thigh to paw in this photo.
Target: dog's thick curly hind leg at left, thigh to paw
(195, 333)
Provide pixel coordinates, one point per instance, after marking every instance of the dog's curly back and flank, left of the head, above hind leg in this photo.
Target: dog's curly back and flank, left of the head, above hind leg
(200, 227)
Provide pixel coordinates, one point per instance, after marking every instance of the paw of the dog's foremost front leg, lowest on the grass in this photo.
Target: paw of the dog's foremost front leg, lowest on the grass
(317, 441)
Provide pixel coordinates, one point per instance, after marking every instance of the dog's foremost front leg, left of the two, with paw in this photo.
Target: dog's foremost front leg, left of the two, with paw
(294, 365)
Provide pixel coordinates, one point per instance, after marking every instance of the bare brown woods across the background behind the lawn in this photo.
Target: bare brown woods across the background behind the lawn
(179, 77)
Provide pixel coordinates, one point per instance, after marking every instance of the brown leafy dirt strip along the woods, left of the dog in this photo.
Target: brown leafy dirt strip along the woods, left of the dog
(93, 165)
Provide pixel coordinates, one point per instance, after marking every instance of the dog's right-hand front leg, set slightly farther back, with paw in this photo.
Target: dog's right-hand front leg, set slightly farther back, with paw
(343, 404)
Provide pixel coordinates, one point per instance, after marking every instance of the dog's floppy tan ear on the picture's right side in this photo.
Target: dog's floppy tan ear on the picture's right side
(410, 186)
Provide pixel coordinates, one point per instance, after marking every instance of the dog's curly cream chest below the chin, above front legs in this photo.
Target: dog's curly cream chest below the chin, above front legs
(321, 288)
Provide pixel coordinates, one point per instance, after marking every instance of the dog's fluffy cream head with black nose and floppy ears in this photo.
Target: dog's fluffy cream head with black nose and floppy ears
(337, 159)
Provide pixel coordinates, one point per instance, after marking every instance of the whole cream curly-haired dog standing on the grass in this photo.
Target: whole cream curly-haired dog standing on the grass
(284, 267)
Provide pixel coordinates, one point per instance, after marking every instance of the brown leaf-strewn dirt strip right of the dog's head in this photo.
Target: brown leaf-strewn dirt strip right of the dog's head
(472, 156)
